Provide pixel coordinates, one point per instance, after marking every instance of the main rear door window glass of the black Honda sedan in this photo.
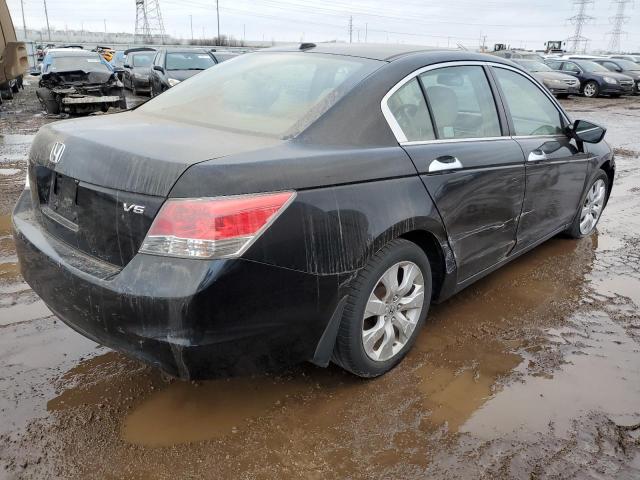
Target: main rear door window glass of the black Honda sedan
(461, 102)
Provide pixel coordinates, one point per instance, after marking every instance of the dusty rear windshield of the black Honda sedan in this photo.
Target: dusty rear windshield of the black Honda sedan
(275, 94)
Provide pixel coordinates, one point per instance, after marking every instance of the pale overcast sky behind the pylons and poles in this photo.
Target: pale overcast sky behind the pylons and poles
(521, 24)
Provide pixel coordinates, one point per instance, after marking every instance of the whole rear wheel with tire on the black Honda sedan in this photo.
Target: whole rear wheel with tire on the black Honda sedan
(387, 305)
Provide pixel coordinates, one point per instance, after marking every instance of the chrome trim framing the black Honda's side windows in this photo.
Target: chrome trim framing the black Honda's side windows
(401, 137)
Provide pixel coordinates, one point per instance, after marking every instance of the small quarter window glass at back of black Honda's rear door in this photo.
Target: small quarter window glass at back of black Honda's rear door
(409, 108)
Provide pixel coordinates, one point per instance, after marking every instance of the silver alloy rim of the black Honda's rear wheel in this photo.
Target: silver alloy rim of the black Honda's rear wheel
(392, 311)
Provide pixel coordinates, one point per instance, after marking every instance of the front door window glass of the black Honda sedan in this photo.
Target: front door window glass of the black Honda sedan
(531, 110)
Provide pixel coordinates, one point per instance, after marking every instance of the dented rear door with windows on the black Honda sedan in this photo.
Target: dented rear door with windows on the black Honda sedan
(472, 169)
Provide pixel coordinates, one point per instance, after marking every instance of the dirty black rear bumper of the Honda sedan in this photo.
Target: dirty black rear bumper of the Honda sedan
(191, 318)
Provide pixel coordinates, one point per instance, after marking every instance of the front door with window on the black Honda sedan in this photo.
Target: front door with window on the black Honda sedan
(555, 168)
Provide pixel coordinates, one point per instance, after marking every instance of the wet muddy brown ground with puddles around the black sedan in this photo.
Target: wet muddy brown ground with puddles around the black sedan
(531, 373)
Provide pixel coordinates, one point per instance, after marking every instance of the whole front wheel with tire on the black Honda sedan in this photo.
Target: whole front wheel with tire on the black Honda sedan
(593, 200)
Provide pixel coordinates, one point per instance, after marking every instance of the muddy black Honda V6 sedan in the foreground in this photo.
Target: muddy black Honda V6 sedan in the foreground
(302, 204)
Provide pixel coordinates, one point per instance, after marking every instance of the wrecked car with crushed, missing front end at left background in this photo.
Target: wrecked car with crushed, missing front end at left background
(78, 82)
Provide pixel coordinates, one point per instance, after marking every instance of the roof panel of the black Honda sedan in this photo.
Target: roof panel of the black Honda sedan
(383, 52)
